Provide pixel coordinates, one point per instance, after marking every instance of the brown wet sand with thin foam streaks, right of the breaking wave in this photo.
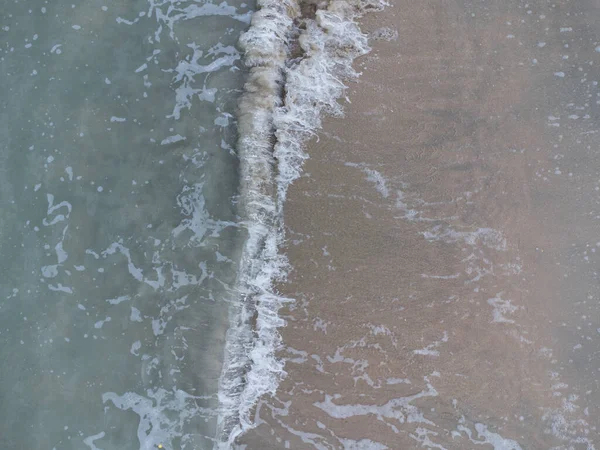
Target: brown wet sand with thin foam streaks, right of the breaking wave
(445, 240)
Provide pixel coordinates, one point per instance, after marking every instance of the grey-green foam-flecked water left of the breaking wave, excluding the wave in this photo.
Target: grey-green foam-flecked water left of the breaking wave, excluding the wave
(119, 238)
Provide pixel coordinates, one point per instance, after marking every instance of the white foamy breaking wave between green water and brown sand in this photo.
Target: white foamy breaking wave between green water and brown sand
(299, 53)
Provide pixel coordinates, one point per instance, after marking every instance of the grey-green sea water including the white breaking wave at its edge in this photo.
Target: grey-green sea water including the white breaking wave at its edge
(146, 150)
